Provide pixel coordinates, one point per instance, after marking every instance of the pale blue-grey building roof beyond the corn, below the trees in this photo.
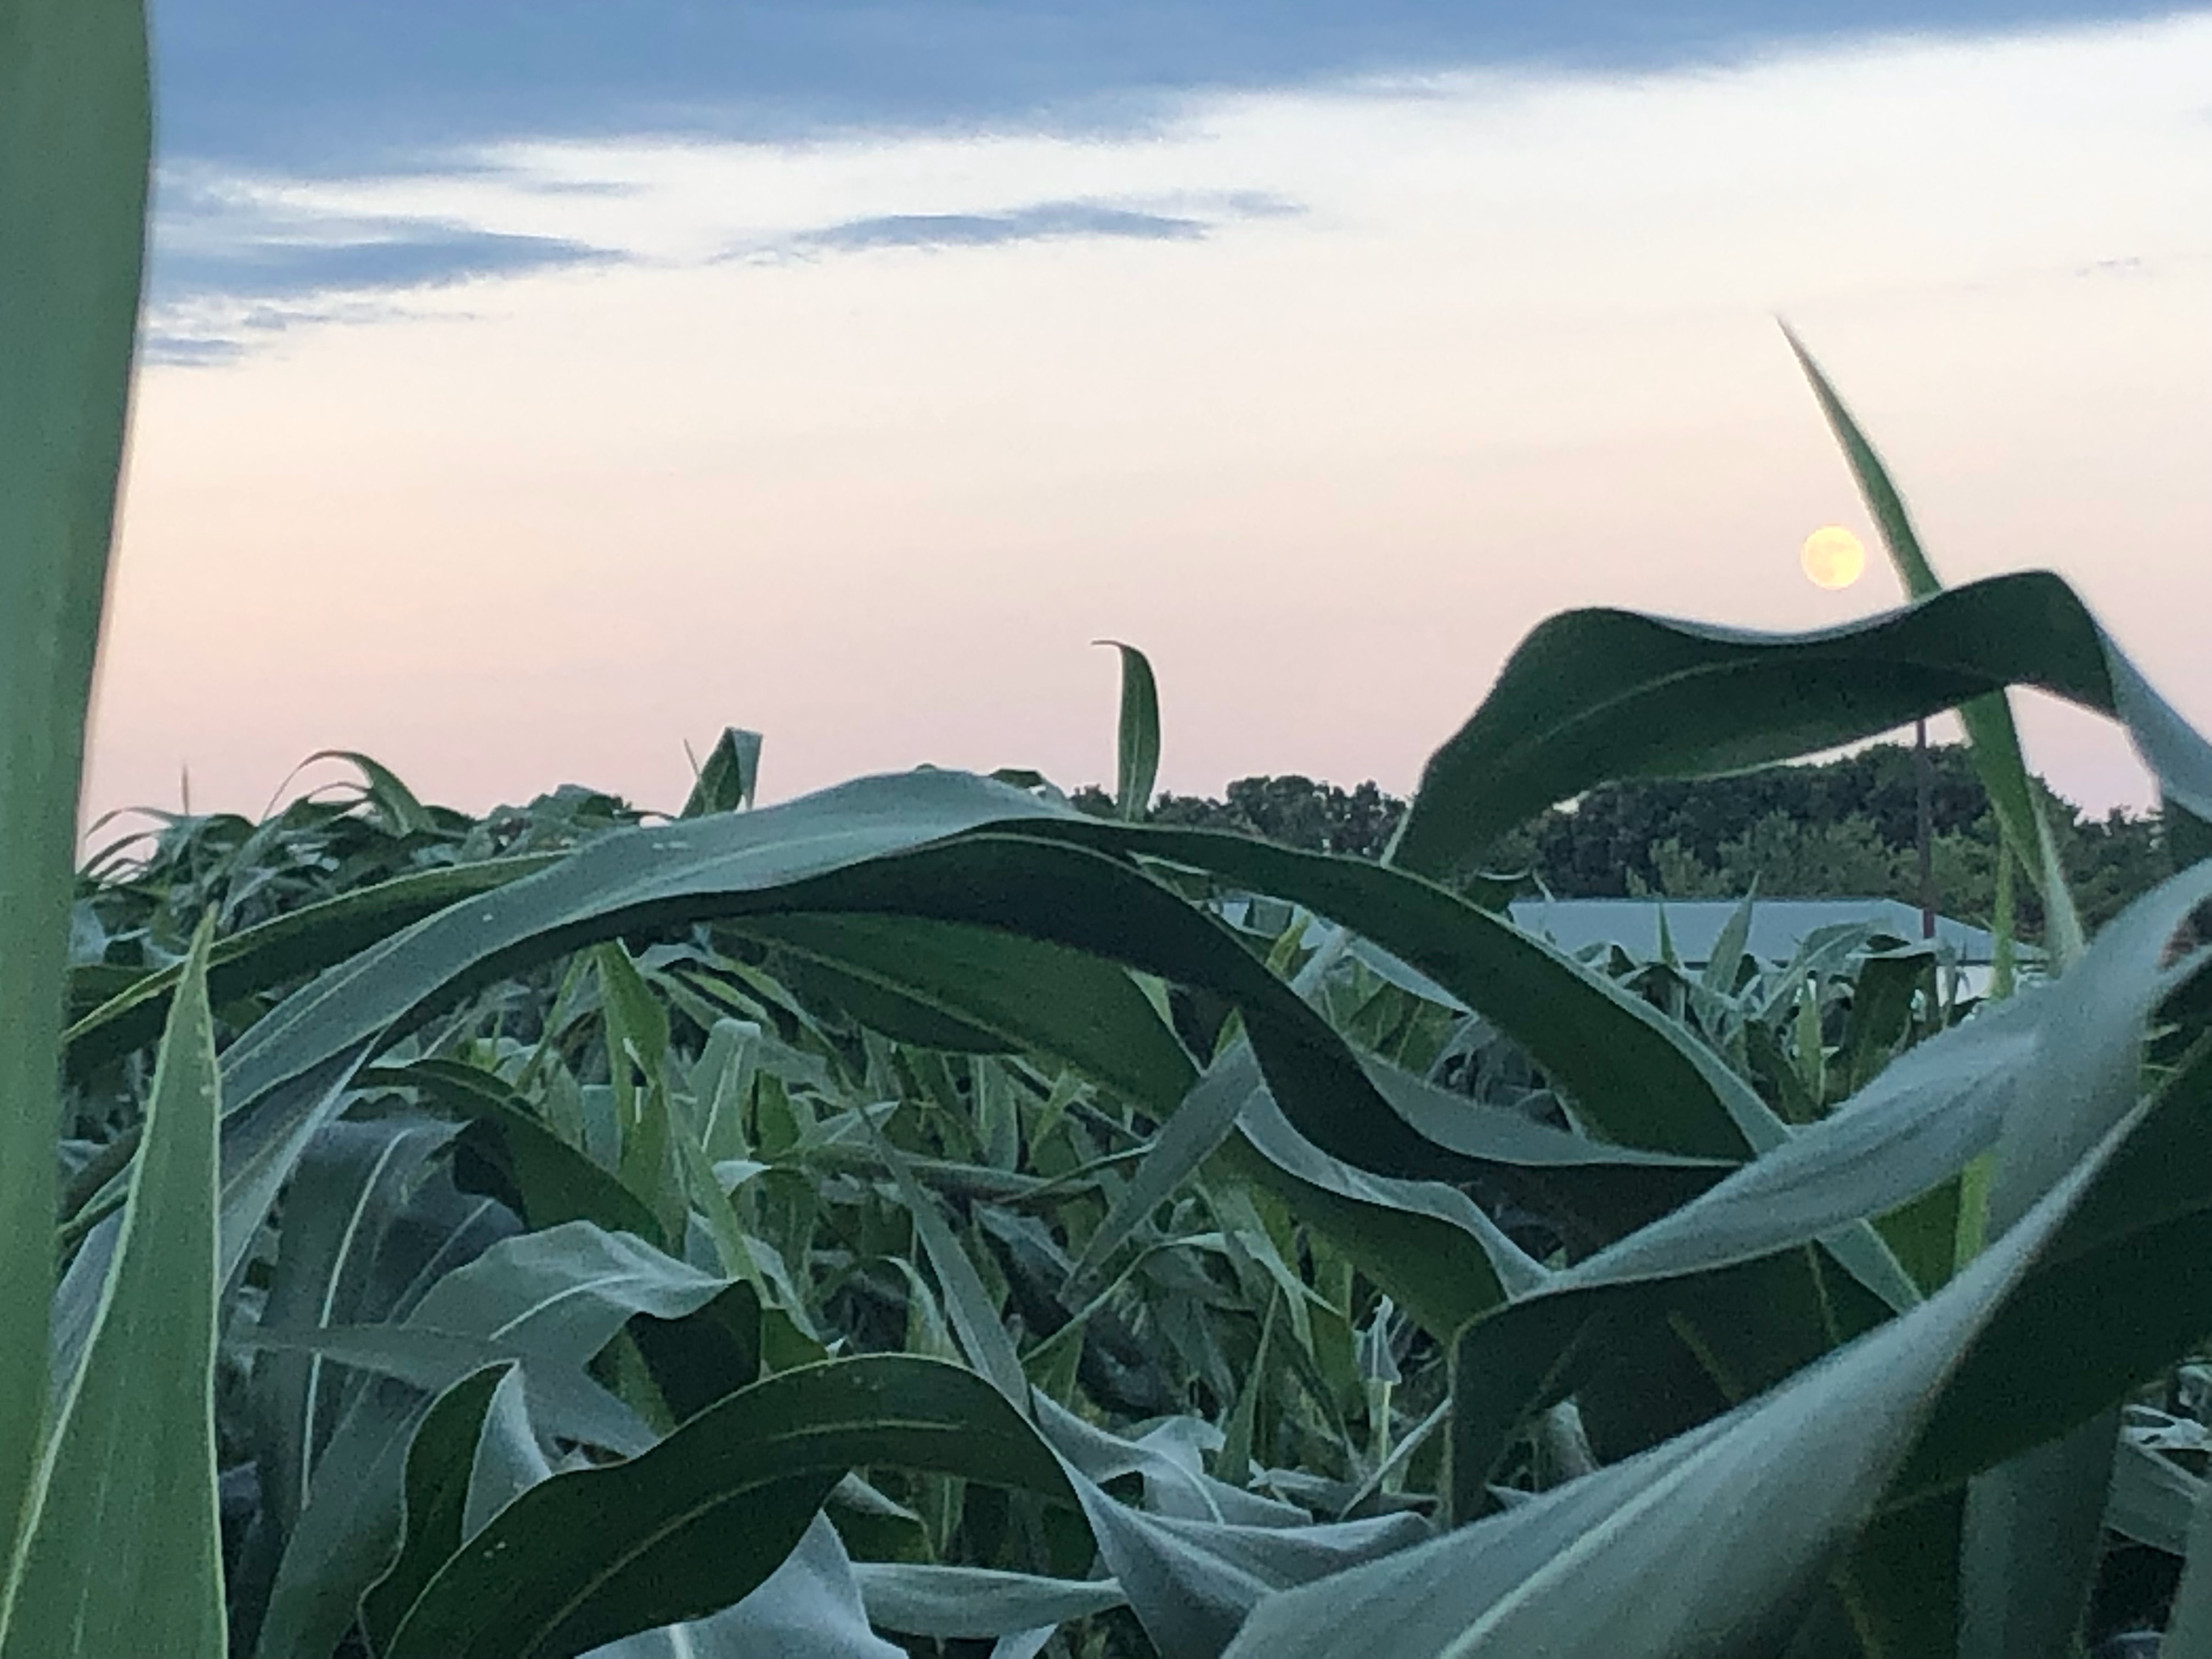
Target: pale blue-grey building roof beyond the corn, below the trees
(1780, 926)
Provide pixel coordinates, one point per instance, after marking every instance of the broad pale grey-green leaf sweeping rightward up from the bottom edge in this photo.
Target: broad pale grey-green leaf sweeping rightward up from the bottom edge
(1709, 1545)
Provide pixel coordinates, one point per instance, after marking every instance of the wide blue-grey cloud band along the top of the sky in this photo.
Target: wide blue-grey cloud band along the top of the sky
(353, 85)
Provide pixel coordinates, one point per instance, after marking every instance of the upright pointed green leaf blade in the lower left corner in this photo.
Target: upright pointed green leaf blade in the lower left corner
(123, 1525)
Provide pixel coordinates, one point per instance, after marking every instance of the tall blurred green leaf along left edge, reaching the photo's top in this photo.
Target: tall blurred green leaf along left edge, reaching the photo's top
(74, 160)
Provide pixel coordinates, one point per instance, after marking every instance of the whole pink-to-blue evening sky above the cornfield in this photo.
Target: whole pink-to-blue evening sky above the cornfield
(534, 390)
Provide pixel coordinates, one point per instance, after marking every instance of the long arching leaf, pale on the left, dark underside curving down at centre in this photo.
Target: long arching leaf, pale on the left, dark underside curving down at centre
(744, 866)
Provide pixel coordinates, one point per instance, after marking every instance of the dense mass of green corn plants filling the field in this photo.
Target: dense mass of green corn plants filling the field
(926, 1215)
